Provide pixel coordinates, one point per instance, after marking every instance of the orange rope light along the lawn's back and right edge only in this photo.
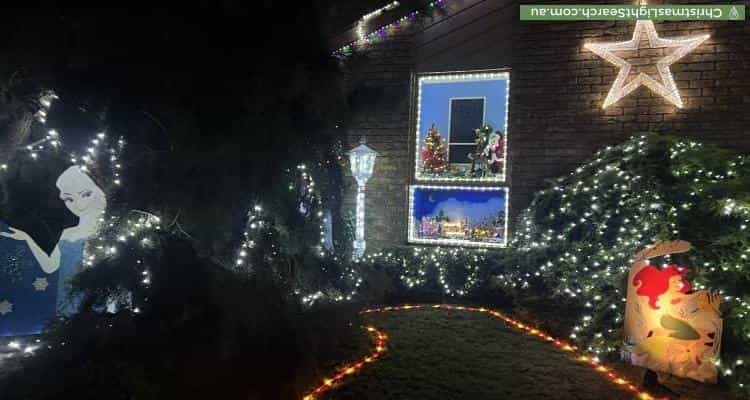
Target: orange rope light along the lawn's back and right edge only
(609, 373)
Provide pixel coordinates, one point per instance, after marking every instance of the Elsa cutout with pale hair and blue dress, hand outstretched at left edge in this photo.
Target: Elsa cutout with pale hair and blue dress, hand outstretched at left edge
(87, 201)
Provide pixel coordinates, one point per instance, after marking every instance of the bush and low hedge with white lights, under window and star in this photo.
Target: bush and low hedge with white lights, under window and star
(574, 244)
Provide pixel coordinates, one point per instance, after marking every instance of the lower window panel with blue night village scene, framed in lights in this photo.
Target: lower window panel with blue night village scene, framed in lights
(458, 216)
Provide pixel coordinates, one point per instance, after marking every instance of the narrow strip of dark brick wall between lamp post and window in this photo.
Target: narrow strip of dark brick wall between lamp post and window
(380, 95)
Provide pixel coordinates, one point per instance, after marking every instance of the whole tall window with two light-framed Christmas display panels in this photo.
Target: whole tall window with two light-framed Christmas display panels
(460, 159)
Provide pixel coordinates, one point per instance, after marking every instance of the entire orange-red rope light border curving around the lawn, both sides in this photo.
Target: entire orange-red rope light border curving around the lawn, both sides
(381, 339)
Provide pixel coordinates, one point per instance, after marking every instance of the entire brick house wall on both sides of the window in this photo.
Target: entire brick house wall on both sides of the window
(557, 88)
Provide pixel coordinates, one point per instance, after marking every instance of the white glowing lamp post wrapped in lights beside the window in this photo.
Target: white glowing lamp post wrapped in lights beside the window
(362, 160)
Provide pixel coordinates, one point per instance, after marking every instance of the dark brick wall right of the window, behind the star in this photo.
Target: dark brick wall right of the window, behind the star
(558, 88)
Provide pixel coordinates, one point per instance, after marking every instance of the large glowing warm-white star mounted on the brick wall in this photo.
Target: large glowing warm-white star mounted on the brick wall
(666, 88)
